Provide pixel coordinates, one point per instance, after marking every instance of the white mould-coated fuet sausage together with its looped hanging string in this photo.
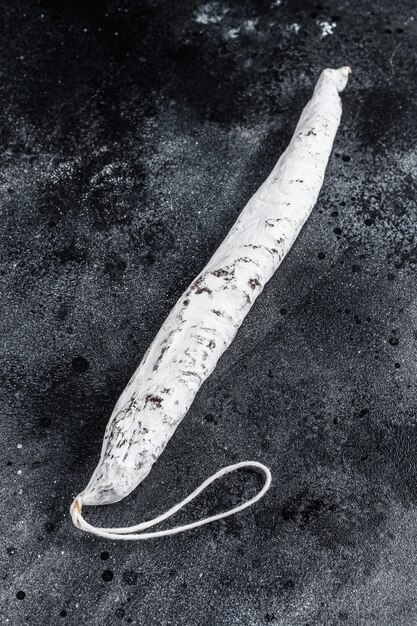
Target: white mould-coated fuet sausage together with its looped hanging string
(204, 321)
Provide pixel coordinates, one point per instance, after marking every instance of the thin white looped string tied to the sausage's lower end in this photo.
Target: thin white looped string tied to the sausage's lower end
(134, 532)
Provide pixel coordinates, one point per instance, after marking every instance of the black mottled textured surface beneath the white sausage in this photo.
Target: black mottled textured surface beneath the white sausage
(132, 133)
